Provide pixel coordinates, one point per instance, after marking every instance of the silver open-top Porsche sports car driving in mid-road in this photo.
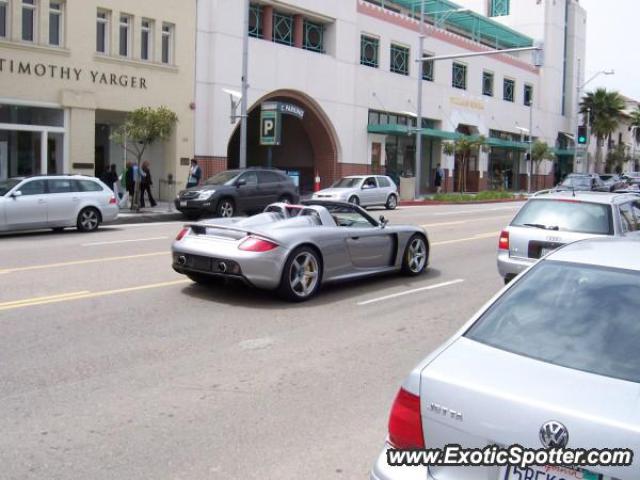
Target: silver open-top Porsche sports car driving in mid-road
(295, 248)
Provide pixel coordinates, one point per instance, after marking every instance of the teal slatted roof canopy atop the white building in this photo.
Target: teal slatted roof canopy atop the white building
(474, 25)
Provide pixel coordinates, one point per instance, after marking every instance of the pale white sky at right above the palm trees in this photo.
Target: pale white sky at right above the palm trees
(611, 28)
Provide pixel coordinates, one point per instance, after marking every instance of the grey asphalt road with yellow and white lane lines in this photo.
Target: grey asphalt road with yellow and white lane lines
(112, 366)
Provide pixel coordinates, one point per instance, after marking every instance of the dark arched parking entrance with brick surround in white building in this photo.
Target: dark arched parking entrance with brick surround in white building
(308, 144)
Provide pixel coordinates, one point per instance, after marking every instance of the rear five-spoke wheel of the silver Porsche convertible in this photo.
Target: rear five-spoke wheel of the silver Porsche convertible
(301, 275)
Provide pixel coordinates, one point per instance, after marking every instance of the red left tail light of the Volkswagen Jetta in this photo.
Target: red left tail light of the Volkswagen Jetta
(405, 423)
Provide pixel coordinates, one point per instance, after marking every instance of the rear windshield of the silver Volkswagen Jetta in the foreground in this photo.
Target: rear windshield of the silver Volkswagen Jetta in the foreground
(575, 316)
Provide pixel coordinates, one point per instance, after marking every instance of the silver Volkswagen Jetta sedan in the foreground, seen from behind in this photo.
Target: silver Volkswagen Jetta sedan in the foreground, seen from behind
(551, 362)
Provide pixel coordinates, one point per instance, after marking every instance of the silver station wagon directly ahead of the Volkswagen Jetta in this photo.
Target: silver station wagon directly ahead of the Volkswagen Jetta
(550, 220)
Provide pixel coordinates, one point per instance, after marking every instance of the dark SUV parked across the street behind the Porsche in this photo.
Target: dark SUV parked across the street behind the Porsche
(235, 191)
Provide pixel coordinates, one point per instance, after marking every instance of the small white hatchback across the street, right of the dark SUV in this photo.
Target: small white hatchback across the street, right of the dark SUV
(363, 190)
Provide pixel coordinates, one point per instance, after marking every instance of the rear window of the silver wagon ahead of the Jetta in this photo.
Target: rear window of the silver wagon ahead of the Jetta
(566, 215)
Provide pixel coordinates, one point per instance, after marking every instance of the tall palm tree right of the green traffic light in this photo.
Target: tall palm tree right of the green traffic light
(605, 111)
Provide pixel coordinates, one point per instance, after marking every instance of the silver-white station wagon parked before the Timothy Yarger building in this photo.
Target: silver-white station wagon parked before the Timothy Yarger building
(55, 202)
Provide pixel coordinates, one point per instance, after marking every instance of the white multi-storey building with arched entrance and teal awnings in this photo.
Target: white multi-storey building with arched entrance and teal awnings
(350, 64)
